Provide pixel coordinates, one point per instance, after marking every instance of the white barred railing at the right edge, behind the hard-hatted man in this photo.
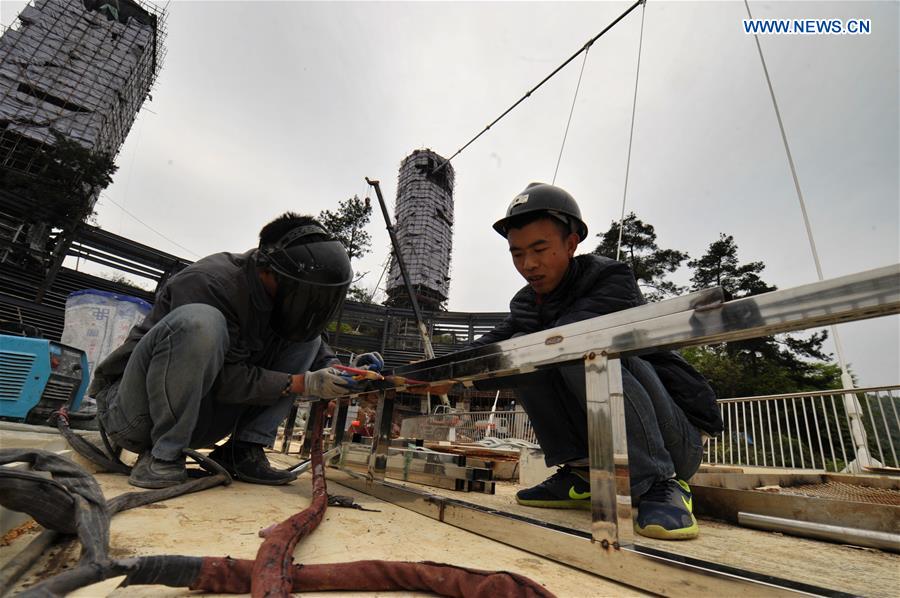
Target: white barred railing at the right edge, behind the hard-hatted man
(813, 430)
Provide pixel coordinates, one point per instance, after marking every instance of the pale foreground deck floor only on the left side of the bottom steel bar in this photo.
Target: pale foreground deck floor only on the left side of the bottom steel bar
(226, 521)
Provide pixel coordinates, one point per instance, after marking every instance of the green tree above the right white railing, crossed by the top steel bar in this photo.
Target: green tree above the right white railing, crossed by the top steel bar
(760, 366)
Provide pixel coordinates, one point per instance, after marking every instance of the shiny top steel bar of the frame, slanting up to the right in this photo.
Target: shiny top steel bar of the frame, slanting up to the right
(661, 326)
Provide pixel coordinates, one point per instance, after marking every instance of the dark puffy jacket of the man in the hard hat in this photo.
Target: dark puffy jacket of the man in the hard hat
(594, 286)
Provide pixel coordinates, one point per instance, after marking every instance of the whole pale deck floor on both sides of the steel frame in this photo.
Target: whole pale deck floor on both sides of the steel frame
(226, 521)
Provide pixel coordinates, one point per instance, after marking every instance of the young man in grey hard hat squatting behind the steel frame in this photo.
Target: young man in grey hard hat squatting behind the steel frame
(669, 407)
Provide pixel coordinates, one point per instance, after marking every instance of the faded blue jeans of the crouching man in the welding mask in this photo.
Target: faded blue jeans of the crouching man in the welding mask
(167, 398)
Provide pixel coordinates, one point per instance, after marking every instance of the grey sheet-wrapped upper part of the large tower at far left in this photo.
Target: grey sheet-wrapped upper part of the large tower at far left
(80, 68)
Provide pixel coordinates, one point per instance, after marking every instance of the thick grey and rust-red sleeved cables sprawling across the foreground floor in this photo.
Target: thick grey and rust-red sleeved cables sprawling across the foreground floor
(72, 502)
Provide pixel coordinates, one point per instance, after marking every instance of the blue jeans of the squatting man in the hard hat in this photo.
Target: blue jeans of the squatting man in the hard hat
(662, 442)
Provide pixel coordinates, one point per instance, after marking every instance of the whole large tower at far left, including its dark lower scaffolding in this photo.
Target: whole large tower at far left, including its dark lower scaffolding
(72, 73)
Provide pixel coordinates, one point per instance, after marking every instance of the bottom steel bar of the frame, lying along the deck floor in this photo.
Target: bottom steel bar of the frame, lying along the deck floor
(652, 570)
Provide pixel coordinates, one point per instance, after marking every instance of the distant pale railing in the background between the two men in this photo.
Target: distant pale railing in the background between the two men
(469, 426)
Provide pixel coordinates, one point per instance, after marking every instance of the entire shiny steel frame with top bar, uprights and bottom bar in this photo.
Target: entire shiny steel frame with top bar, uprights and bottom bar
(696, 319)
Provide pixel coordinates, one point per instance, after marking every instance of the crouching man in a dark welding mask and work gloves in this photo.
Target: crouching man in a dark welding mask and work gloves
(231, 342)
